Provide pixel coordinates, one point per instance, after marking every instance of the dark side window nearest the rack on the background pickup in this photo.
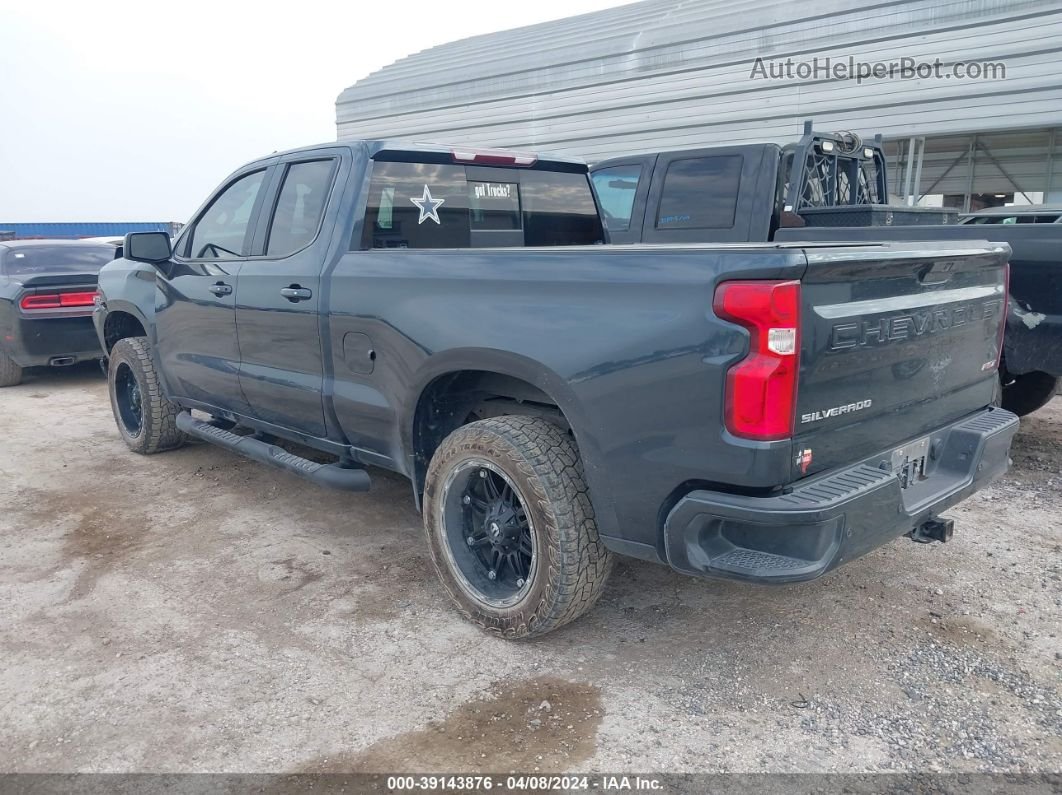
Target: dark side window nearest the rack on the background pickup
(700, 194)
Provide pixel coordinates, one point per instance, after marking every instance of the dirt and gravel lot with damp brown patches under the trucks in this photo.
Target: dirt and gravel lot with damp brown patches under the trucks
(197, 612)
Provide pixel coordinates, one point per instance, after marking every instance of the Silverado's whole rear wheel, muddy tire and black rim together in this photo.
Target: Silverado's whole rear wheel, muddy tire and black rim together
(511, 528)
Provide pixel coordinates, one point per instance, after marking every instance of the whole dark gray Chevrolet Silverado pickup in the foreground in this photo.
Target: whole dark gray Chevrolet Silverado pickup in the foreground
(755, 412)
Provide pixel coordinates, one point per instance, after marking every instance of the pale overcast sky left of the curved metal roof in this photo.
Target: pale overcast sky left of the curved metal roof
(116, 111)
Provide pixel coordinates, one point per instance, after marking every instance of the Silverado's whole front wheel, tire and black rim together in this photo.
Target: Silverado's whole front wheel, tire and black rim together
(146, 420)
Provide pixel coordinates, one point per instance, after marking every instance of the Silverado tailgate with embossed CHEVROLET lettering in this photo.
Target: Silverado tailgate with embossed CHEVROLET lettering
(897, 340)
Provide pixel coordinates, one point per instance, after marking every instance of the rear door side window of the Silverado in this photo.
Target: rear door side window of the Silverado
(299, 208)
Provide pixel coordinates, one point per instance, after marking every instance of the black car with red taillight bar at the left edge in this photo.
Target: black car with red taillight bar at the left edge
(47, 292)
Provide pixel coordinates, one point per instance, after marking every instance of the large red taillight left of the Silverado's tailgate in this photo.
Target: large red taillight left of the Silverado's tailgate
(761, 400)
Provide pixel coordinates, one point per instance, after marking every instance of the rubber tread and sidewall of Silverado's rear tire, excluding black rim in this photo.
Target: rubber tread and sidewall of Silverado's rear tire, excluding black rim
(573, 564)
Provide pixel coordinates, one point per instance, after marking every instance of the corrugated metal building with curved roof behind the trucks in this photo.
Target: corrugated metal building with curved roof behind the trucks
(679, 74)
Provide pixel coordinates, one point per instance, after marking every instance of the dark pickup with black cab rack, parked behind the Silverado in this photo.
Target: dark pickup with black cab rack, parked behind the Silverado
(832, 187)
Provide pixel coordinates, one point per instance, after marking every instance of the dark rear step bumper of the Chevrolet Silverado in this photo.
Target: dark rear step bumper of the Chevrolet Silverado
(835, 517)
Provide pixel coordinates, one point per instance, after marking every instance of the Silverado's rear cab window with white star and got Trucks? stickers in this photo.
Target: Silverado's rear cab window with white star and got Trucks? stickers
(426, 205)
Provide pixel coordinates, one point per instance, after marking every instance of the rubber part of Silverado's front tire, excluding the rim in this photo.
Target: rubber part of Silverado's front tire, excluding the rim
(159, 430)
